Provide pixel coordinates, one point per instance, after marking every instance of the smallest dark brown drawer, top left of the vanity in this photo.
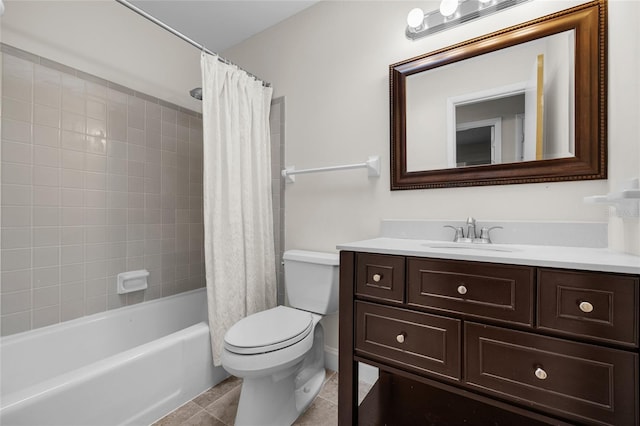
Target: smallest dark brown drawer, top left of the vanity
(380, 276)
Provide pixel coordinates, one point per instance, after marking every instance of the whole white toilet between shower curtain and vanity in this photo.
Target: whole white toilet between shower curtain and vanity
(279, 353)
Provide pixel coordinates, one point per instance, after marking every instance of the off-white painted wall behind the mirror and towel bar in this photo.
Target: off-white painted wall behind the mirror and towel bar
(331, 62)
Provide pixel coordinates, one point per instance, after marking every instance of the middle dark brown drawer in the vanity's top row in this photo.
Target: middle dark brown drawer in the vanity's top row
(499, 292)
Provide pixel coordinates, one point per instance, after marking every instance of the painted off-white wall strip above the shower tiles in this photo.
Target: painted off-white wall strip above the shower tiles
(108, 40)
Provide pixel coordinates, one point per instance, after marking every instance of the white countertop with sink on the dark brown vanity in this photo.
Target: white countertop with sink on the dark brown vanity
(582, 258)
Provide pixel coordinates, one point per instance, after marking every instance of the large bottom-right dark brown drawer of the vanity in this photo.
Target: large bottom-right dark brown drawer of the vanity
(584, 382)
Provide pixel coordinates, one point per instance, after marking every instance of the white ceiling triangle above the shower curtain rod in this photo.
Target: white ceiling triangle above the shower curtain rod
(220, 24)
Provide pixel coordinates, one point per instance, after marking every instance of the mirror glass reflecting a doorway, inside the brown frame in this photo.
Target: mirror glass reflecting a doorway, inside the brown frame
(527, 88)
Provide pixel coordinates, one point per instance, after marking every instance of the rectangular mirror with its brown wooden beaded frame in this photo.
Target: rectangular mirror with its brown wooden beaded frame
(525, 104)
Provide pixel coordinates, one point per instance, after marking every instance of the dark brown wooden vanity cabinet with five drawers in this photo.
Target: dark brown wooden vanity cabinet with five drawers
(472, 342)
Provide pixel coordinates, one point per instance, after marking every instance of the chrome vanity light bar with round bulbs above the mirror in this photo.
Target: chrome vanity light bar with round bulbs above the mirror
(452, 13)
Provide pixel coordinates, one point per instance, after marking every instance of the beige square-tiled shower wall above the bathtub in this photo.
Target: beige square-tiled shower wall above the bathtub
(96, 180)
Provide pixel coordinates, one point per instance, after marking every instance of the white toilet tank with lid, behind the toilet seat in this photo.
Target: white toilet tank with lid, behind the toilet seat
(311, 280)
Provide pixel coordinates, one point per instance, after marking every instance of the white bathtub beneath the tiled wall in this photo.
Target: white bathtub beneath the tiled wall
(129, 366)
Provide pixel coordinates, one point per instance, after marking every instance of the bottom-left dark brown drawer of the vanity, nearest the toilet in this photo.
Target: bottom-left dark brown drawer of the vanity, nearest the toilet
(411, 340)
